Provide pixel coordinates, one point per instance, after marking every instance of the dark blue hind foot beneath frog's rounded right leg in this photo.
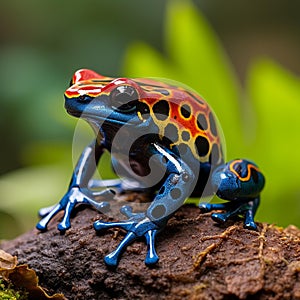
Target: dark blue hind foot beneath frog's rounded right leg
(245, 208)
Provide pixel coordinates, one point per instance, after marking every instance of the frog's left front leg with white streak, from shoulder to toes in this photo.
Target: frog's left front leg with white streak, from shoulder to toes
(78, 191)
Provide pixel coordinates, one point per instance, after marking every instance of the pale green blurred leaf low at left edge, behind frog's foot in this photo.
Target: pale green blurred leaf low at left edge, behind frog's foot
(25, 191)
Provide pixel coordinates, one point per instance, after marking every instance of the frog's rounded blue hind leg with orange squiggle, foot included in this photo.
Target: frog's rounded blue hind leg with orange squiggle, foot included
(240, 182)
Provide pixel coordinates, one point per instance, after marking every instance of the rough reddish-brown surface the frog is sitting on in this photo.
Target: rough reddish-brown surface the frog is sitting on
(198, 260)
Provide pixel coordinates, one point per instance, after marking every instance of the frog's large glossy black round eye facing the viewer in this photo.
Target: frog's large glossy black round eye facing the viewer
(124, 98)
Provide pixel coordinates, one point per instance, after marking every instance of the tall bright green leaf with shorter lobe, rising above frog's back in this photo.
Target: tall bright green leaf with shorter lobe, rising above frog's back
(194, 57)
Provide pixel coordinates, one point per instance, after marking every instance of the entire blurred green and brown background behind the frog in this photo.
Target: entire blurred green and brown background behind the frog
(243, 57)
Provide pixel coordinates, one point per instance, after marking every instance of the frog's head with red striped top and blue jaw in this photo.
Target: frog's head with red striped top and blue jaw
(100, 99)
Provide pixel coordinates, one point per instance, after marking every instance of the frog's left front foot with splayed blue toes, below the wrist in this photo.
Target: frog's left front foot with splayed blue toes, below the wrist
(74, 196)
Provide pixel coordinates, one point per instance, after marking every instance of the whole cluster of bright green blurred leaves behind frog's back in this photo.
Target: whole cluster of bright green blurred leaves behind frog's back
(259, 123)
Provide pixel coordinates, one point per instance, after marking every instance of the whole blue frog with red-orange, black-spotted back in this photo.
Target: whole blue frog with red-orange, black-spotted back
(164, 140)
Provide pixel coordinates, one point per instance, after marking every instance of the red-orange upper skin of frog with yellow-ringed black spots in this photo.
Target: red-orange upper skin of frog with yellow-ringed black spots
(181, 115)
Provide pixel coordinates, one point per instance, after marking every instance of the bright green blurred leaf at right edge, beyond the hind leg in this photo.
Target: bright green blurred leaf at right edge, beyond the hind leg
(276, 98)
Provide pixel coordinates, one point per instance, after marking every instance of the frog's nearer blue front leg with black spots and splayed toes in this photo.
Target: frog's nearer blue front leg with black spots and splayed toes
(170, 197)
